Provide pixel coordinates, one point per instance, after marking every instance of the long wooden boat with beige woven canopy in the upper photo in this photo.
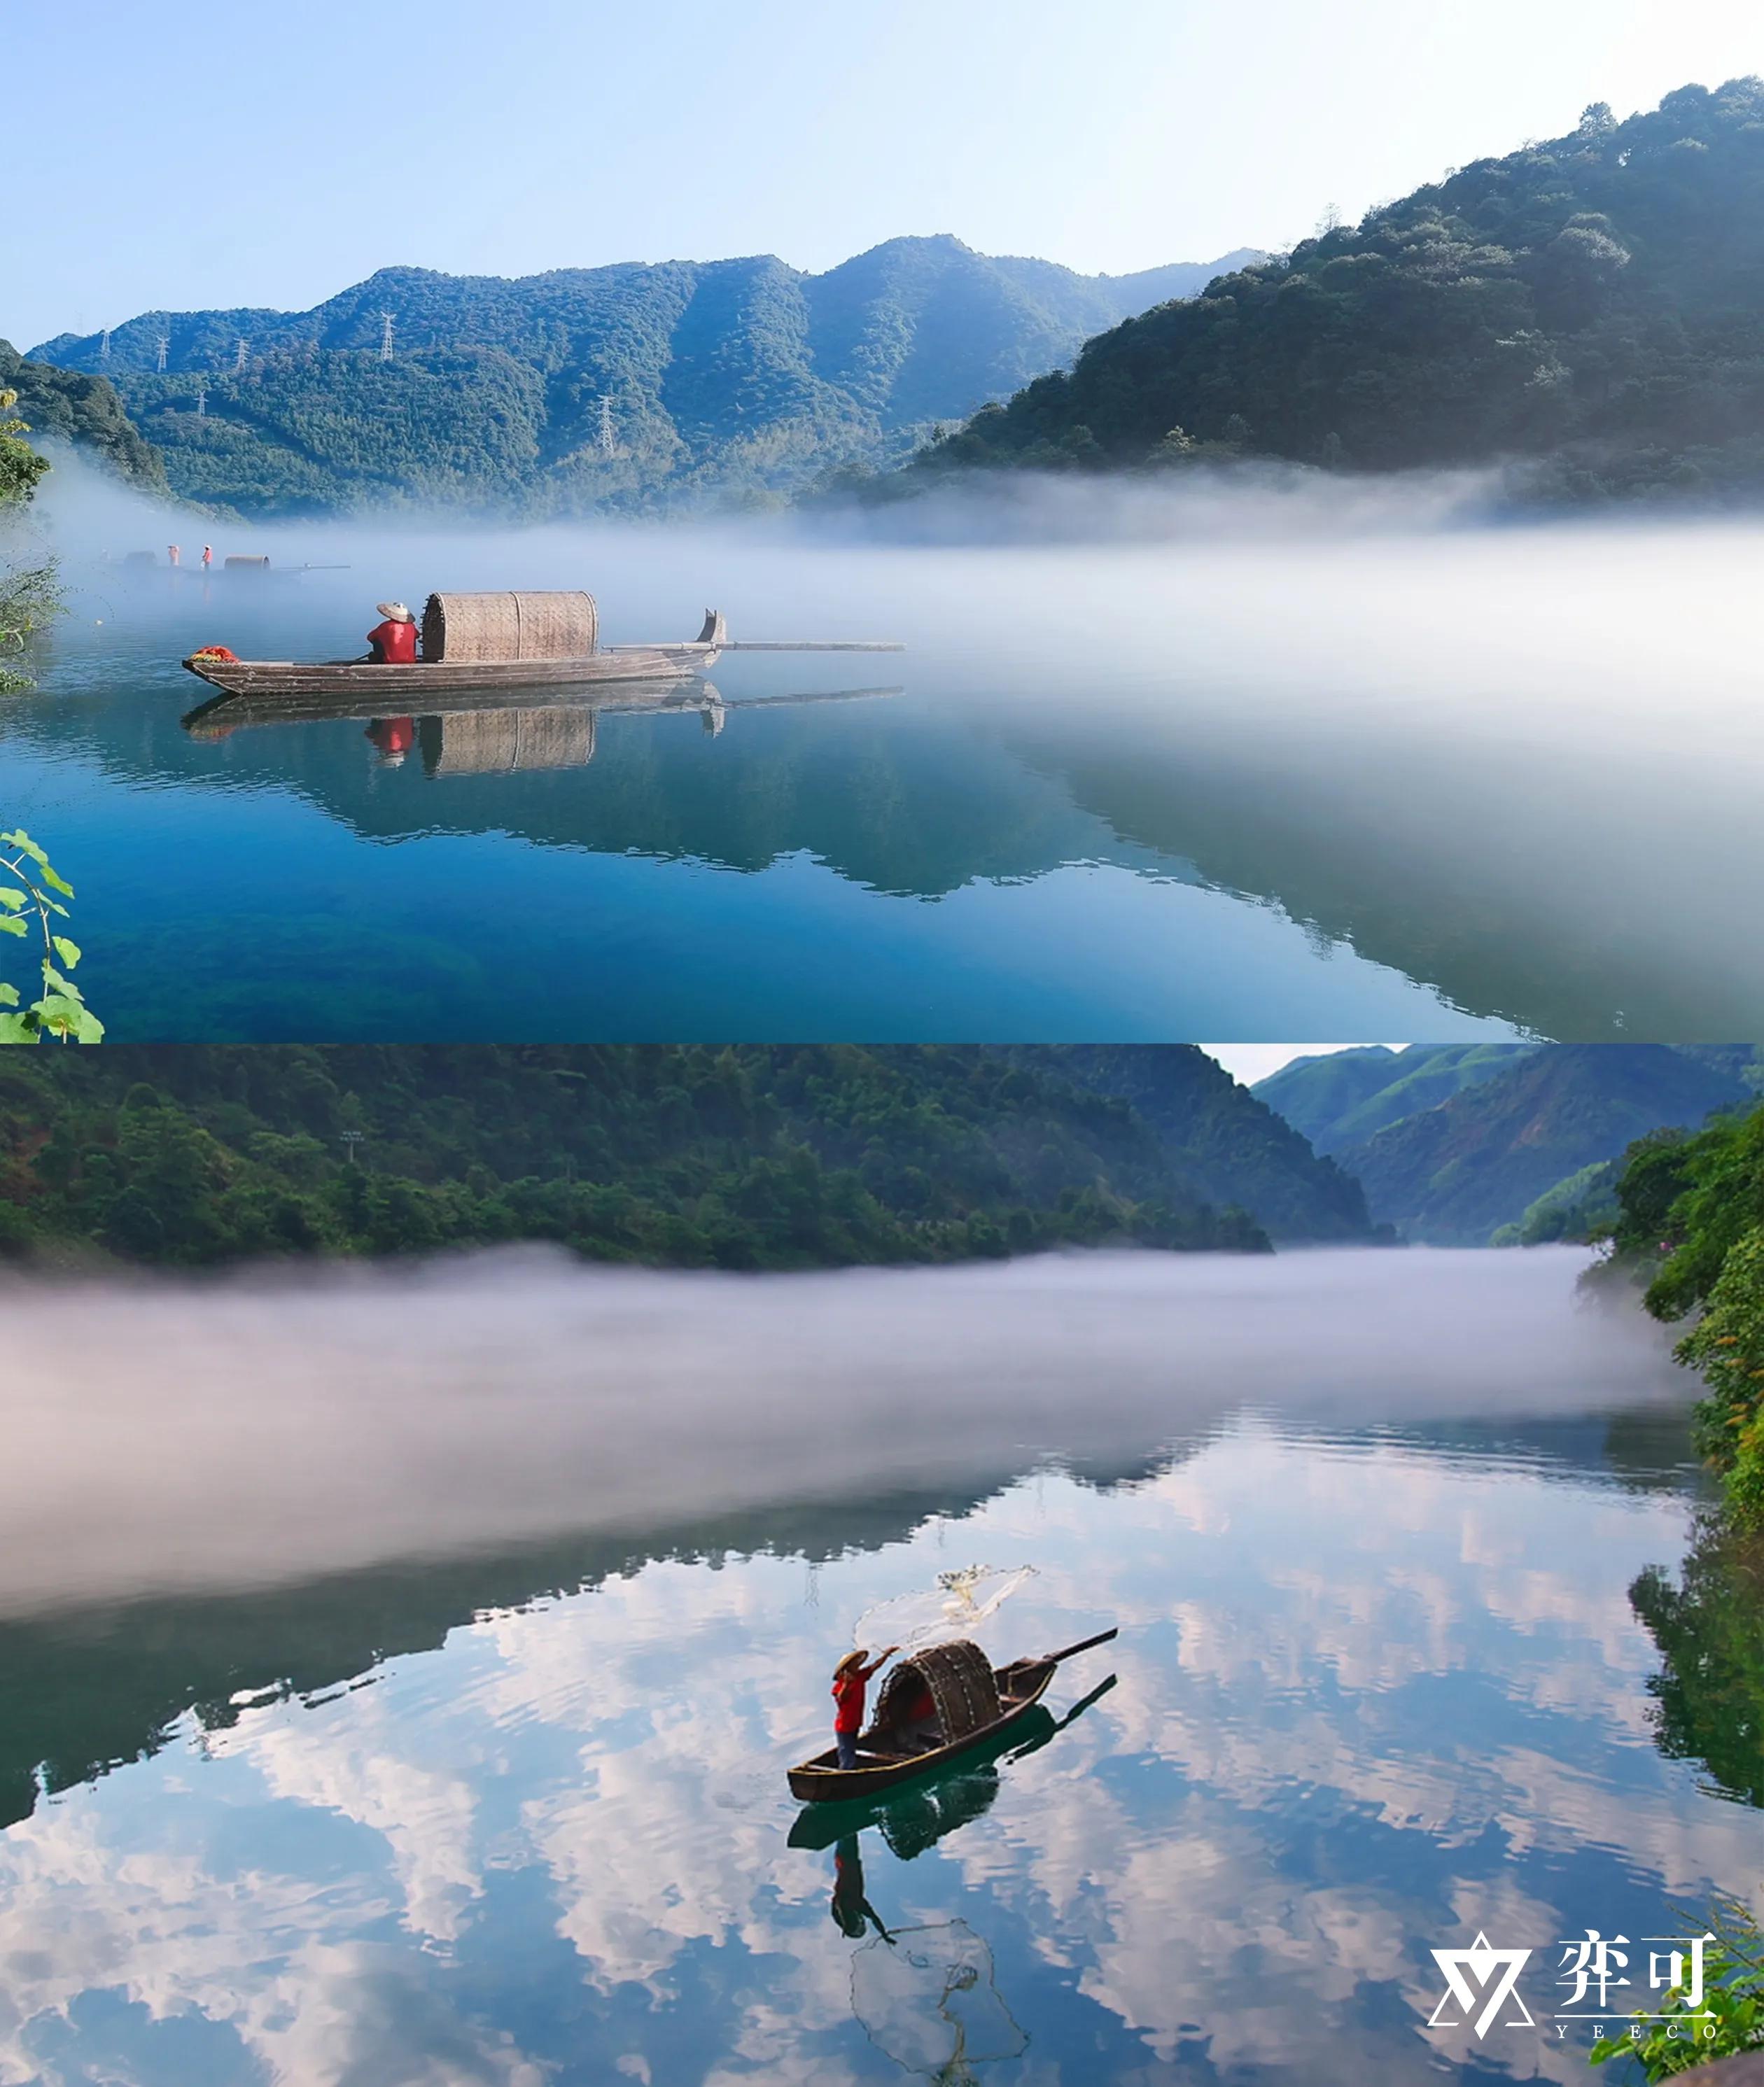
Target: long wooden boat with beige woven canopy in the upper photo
(496, 642)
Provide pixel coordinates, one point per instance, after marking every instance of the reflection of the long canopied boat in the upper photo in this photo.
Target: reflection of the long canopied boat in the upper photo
(496, 734)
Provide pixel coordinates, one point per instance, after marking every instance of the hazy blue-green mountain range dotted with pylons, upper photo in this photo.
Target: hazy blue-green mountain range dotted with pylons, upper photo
(721, 379)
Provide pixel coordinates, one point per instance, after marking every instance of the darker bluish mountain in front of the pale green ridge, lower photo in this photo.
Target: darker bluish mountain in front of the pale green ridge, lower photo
(1452, 1176)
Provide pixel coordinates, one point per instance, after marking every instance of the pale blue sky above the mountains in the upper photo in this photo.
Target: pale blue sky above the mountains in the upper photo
(272, 155)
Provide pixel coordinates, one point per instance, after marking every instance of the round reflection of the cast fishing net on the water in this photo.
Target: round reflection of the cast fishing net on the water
(928, 2000)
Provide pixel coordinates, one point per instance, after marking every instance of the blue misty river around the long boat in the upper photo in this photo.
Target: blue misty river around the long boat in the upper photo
(1277, 775)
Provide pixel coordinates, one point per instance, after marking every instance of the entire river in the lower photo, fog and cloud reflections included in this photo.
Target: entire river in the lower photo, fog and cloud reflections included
(400, 1671)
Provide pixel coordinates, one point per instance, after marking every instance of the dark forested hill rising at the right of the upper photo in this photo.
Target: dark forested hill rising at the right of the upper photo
(1594, 299)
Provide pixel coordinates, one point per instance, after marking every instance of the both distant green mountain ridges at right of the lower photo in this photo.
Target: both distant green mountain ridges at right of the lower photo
(1487, 1141)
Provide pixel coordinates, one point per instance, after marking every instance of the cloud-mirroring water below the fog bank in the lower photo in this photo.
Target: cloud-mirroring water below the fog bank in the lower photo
(519, 1817)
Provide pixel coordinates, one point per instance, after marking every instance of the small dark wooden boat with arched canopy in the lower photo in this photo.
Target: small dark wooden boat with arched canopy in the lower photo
(976, 1706)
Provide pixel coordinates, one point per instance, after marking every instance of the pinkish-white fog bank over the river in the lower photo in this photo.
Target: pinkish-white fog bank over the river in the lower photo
(275, 1426)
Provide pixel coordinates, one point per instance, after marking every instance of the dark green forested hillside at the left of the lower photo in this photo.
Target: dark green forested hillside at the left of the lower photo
(748, 1157)
